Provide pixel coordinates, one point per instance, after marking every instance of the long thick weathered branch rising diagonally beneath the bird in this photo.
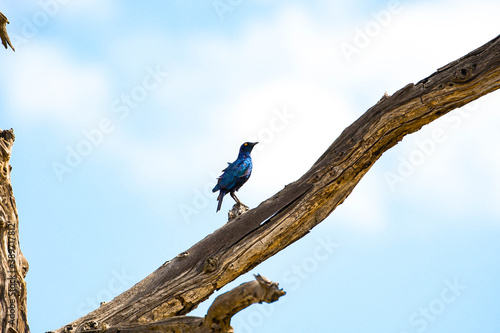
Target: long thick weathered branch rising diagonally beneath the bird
(180, 284)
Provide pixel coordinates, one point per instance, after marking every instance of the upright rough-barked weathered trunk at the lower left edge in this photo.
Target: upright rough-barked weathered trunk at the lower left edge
(13, 264)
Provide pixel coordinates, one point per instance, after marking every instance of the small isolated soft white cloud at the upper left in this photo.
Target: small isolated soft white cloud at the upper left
(45, 83)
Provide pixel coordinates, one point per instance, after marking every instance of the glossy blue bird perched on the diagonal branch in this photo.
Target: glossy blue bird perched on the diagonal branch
(235, 175)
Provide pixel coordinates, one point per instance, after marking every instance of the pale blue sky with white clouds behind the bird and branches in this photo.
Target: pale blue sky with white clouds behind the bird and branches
(126, 112)
